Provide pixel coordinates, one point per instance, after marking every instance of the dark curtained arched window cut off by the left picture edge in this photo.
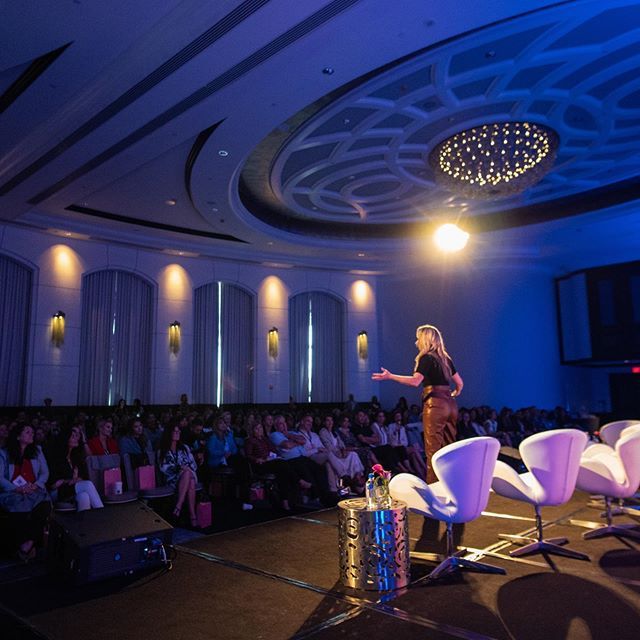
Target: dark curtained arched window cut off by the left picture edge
(15, 314)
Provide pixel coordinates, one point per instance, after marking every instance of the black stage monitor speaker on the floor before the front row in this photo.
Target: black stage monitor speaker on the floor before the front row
(113, 541)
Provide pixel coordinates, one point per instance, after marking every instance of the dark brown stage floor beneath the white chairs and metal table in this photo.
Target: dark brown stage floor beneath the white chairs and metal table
(280, 579)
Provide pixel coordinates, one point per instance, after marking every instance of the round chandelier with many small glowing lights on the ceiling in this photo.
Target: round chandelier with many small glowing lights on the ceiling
(494, 160)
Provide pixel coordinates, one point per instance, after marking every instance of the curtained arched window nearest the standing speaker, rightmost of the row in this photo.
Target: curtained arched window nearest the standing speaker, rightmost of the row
(316, 327)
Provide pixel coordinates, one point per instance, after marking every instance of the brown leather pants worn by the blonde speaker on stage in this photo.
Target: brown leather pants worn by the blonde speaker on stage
(439, 417)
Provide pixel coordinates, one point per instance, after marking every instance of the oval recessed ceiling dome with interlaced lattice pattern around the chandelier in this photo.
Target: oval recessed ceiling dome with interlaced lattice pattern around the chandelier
(356, 162)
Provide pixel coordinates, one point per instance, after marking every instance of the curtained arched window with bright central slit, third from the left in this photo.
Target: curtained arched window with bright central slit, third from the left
(223, 345)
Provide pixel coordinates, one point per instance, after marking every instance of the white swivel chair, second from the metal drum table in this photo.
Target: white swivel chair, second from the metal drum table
(553, 460)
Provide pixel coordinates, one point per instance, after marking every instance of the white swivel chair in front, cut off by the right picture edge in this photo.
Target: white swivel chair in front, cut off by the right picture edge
(614, 473)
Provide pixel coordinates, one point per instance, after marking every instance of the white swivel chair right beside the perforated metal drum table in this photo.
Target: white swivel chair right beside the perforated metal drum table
(465, 470)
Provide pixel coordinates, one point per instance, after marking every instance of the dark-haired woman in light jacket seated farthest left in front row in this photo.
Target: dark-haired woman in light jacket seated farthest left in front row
(23, 476)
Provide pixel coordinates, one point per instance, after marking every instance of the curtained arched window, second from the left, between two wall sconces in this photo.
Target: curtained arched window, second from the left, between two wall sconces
(116, 338)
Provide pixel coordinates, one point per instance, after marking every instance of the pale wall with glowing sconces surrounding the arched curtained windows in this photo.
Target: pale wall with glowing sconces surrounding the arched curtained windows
(59, 264)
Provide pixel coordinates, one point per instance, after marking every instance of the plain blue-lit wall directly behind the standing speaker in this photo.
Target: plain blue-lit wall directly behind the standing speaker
(499, 325)
